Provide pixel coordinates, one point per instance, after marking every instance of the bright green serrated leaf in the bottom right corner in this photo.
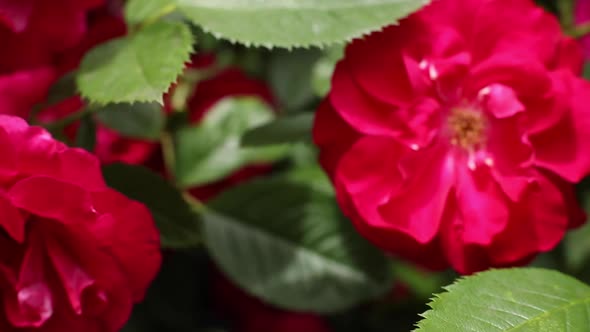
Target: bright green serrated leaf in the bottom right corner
(511, 300)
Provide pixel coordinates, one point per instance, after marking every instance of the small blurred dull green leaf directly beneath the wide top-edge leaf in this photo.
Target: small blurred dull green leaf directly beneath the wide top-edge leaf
(290, 77)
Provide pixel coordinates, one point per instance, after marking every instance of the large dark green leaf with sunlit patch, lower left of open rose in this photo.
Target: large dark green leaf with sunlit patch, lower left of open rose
(289, 244)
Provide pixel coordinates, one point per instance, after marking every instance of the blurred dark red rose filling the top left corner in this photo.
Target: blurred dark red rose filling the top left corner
(33, 34)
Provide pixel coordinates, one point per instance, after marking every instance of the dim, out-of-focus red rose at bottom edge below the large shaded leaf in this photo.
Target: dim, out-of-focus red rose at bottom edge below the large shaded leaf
(249, 314)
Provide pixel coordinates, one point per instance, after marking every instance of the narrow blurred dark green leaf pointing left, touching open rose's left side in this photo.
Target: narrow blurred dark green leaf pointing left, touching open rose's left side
(286, 129)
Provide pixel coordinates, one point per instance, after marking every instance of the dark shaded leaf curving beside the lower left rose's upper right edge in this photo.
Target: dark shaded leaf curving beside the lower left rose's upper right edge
(177, 223)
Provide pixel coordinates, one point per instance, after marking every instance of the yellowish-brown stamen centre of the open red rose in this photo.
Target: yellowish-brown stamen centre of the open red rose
(467, 127)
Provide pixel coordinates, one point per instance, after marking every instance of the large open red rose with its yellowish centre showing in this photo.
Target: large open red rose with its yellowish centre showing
(455, 137)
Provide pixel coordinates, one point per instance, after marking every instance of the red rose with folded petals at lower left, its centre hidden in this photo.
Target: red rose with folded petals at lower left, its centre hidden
(76, 254)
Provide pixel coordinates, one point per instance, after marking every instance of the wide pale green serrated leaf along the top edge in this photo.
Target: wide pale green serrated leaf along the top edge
(289, 23)
